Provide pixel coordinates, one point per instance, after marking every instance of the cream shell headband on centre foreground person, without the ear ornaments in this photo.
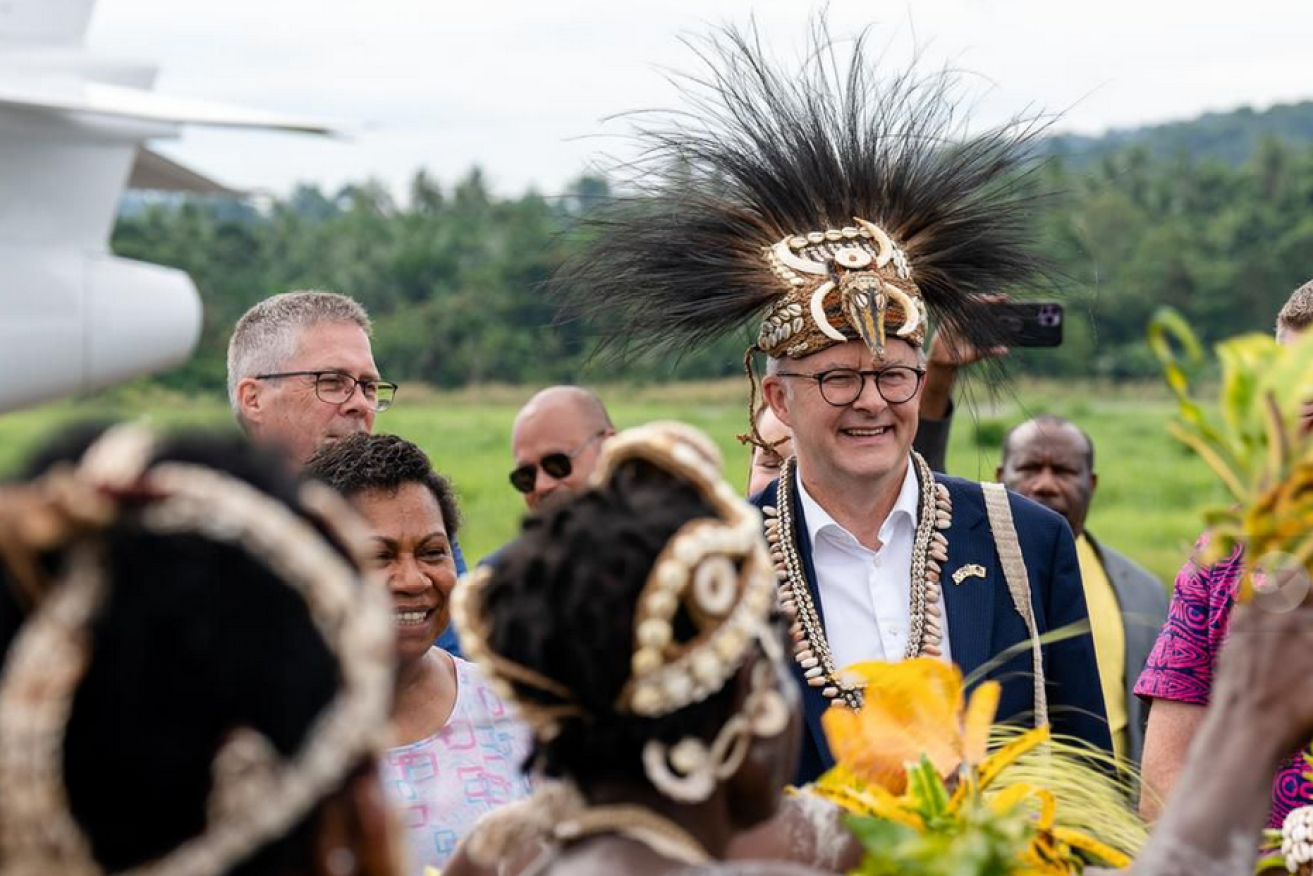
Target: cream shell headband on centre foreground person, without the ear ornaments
(716, 569)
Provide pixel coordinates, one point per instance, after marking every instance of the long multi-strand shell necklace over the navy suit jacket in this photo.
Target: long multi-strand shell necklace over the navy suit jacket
(929, 554)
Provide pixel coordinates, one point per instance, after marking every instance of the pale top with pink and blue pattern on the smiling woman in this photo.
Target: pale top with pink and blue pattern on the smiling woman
(439, 787)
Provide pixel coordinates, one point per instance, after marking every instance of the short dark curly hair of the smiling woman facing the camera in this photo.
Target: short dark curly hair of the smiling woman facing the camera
(363, 462)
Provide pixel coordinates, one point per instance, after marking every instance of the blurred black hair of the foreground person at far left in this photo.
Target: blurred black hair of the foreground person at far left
(196, 638)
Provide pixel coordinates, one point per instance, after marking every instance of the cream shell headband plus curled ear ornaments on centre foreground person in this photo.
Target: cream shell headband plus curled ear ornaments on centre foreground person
(704, 606)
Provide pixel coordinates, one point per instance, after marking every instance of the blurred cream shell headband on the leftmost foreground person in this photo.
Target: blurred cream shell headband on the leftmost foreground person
(257, 794)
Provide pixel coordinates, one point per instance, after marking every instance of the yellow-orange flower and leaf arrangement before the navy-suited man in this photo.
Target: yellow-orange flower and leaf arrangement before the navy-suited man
(936, 790)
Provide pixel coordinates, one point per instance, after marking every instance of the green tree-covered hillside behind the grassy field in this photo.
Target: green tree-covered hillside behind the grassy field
(1214, 217)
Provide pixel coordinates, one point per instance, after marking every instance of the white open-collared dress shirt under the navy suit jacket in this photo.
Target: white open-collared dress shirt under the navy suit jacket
(866, 596)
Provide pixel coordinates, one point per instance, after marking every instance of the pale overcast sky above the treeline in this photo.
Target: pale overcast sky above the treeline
(522, 89)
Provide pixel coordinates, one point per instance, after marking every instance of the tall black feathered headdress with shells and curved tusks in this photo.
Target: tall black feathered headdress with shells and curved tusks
(827, 203)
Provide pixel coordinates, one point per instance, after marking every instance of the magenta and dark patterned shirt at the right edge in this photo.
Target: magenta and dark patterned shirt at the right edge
(1181, 665)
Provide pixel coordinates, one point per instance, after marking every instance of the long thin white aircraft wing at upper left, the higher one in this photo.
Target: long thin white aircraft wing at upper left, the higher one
(140, 106)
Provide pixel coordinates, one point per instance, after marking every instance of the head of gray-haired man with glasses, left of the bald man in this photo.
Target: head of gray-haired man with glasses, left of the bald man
(301, 372)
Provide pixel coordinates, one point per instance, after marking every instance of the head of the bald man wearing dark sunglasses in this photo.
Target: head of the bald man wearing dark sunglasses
(556, 442)
